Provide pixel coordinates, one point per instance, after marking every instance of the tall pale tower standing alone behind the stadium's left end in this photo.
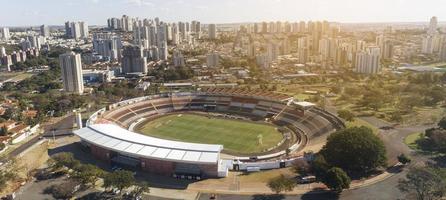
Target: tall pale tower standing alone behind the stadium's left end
(71, 66)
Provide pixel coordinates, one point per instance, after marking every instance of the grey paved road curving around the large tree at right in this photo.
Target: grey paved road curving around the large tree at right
(385, 189)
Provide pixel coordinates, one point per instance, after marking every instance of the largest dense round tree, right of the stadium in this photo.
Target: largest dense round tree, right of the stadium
(356, 150)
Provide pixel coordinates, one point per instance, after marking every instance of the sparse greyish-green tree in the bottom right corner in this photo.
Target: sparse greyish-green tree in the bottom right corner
(426, 183)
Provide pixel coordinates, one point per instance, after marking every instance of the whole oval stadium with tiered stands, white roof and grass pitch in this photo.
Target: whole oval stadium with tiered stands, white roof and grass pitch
(185, 135)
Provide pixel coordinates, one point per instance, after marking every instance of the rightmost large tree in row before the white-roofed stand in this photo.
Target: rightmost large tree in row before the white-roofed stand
(120, 179)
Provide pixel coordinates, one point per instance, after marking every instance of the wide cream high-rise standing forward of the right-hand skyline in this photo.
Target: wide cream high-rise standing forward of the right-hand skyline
(368, 61)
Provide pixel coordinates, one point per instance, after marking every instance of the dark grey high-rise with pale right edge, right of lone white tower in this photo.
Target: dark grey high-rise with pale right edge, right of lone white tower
(133, 60)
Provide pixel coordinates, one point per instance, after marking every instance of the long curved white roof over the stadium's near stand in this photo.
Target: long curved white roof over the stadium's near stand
(115, 138)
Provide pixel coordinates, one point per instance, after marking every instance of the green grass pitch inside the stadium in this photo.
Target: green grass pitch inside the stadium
(236, 136)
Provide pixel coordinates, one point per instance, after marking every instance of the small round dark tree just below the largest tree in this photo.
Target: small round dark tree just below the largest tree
(336, 179)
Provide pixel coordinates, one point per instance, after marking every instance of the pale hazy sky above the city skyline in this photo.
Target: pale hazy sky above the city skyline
(96, 12)
